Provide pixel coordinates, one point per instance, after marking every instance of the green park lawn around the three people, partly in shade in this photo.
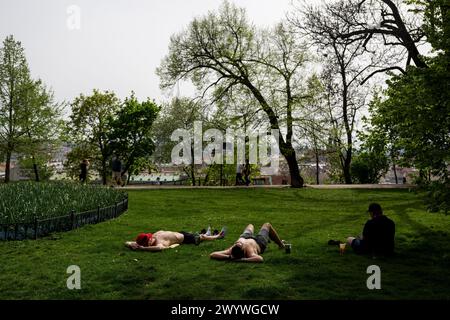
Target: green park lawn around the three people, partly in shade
(307, 218)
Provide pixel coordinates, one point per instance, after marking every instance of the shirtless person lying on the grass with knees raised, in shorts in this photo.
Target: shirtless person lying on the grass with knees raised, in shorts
(248, 248)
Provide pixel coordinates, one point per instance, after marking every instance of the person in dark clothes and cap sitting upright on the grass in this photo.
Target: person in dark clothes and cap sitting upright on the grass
(378, 234)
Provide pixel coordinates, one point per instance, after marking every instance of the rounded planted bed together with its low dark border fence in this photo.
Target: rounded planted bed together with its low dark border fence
(31, 210)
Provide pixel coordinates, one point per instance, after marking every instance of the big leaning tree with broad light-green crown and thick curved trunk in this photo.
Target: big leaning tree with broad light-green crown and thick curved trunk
(222, 50)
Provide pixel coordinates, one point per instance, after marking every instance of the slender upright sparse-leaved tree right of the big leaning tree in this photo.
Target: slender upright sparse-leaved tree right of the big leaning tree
(346, 65)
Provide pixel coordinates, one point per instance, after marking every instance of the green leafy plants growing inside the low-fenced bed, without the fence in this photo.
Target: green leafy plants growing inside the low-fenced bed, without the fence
(22, 201)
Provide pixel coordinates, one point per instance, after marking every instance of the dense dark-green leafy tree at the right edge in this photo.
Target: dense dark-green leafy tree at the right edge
(415, 111)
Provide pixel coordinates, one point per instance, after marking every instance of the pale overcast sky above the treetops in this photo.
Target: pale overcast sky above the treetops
(118, 45)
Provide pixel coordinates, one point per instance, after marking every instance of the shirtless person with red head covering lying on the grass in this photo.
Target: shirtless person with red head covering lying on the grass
(161, 240)
